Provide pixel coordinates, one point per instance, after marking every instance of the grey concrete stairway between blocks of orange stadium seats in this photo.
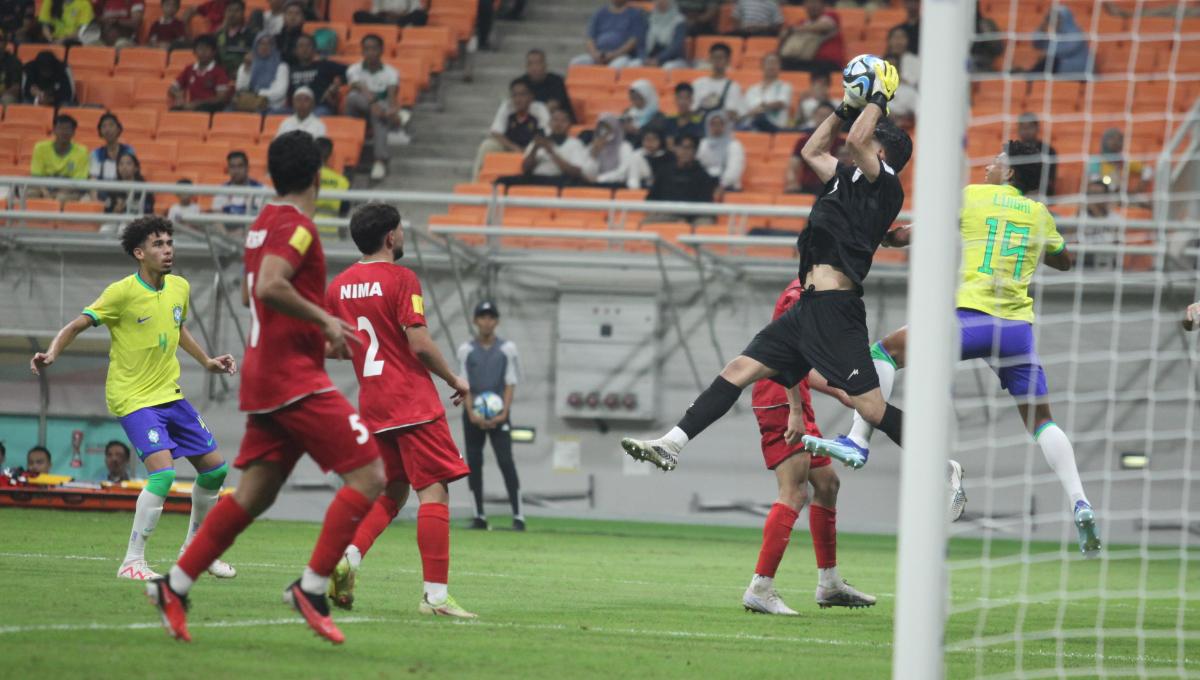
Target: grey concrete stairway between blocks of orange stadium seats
(445, 142)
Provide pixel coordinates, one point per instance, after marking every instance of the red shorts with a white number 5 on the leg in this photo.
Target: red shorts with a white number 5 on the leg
(323, 425)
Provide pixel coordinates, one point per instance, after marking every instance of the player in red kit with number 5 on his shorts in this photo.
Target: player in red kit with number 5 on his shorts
(291, 404)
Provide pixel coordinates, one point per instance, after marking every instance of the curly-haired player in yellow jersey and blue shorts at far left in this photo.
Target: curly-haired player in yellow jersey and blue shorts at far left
(146, 314)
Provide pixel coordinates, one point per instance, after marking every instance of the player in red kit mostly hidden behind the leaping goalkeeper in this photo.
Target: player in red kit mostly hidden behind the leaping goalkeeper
(783, 419)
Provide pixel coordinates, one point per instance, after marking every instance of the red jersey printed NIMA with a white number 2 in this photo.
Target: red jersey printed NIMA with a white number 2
(381, 300)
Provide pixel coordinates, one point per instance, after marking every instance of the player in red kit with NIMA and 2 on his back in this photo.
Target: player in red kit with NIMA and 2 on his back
(400, 405)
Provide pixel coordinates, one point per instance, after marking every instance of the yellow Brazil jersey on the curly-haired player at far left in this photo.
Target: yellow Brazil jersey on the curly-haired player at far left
(145, 323)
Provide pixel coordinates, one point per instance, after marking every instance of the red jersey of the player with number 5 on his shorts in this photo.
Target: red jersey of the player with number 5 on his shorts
(286, 357)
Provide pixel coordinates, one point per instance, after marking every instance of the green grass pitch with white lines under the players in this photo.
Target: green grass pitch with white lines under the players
(568, 599)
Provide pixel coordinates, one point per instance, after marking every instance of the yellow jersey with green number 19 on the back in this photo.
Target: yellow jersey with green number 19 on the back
(1004, 238)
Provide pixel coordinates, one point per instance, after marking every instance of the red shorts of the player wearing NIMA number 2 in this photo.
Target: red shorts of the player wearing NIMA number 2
(422, 455)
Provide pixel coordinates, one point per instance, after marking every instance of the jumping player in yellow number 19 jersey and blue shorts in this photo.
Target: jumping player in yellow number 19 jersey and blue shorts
(1005, 237)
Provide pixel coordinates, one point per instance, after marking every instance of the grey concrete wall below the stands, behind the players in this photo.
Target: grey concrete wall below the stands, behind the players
(1123, 378)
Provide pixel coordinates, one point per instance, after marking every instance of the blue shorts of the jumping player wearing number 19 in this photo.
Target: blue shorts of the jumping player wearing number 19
(1009, 348)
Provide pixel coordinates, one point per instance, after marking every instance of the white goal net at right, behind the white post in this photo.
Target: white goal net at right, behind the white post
(1109, 93)
